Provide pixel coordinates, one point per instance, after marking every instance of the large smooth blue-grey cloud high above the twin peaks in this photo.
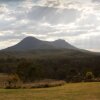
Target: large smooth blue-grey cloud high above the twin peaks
(53, 15)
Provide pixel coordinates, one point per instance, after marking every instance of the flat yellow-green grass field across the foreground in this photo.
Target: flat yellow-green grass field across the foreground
(71, 91)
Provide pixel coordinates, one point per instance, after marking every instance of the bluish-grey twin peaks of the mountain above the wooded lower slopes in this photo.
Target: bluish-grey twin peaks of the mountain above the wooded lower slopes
(32, 43)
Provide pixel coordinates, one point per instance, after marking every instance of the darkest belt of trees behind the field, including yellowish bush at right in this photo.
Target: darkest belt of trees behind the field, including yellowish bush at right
(70, 69)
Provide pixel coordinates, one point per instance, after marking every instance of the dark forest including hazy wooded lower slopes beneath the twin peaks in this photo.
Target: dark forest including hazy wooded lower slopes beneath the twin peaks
(68, 65)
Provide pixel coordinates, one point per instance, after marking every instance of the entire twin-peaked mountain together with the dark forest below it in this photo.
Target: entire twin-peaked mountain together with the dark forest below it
(33, 59)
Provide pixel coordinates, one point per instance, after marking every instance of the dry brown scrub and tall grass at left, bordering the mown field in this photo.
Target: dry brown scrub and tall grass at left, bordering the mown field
(13, 82)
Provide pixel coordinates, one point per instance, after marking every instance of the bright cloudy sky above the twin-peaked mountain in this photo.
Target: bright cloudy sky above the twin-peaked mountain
(76, 21)
